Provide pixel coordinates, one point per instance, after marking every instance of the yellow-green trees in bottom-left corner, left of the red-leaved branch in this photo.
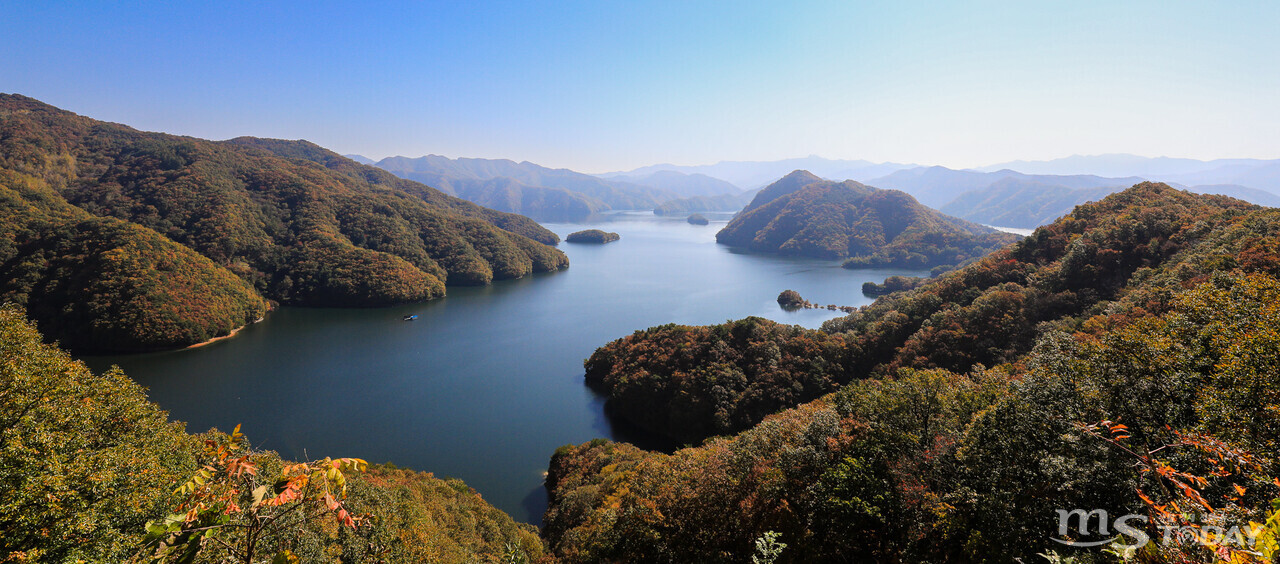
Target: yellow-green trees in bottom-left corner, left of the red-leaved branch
(85, 460)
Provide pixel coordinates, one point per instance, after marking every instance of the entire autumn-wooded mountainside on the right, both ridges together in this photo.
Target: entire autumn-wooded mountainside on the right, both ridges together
(1121, 359)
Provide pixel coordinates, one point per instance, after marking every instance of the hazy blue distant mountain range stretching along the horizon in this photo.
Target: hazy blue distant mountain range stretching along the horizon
(1016, 195)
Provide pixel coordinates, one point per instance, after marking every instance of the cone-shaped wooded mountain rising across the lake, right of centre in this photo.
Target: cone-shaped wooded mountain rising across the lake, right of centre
(804, 215)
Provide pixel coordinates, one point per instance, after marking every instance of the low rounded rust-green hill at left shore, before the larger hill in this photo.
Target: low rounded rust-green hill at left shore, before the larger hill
(104, 285)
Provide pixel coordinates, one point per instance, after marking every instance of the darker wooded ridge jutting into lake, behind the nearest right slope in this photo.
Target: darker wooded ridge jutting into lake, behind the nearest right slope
(986, 313)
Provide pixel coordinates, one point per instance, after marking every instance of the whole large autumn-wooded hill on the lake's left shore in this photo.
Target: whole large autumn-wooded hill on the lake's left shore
(117, 240)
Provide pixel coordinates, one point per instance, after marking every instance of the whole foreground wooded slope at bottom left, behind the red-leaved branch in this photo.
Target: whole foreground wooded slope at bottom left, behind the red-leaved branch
(88, 462)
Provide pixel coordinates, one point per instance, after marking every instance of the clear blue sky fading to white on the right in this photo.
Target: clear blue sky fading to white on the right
(602, 86)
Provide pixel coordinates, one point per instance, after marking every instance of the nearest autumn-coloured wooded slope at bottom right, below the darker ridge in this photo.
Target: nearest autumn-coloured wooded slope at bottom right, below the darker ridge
(932, 466)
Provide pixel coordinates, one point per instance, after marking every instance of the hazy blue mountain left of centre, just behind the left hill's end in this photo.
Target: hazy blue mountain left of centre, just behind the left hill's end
(550, 195)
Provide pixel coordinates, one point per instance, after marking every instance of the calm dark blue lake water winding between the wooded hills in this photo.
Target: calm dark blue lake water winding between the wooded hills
(488, 382)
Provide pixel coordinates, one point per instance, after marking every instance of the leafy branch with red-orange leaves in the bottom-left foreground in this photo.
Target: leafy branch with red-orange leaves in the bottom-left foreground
(232, 508)
